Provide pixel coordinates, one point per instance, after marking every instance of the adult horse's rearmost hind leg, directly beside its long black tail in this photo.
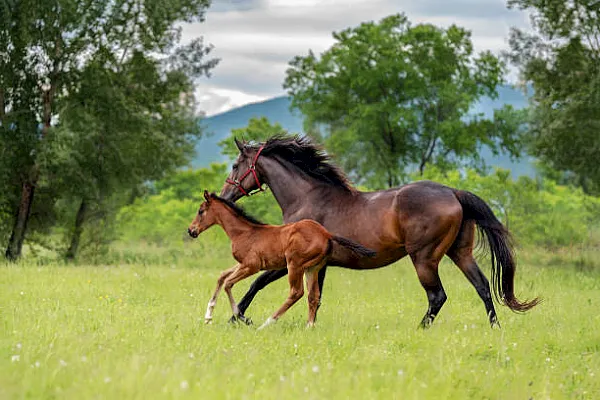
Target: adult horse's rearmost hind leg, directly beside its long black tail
(462, 255)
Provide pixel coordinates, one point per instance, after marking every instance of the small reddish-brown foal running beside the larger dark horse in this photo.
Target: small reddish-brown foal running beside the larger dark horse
(303, 247)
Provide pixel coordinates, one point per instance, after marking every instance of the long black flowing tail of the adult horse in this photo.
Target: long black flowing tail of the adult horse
(501, 249)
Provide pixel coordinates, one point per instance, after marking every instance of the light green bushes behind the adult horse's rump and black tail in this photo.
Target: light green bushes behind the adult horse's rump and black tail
(540, 213)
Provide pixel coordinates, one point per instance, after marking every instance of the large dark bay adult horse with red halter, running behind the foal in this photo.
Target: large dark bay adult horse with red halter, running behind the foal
(424, 219)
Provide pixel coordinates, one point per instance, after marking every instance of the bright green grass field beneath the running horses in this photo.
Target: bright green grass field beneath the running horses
(137, 332)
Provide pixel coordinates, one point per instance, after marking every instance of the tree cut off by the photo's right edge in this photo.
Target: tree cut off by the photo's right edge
(561, 61)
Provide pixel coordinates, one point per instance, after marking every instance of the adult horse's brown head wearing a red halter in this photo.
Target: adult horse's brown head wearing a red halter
(245, 177)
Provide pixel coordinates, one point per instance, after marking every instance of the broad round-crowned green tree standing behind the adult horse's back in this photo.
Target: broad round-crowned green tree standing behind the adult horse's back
(393, 97)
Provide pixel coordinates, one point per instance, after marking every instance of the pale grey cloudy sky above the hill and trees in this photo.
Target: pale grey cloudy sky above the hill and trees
(256, 39)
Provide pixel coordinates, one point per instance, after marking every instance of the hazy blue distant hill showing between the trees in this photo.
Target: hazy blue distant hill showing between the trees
(277, 109)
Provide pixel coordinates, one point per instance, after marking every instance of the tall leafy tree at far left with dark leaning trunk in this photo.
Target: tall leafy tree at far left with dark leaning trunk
(48, 49)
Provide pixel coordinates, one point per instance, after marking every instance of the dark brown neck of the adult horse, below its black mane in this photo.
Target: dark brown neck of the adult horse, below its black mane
(293, 191)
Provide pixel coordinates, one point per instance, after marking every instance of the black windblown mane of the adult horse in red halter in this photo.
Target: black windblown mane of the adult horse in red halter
(307, 157)
